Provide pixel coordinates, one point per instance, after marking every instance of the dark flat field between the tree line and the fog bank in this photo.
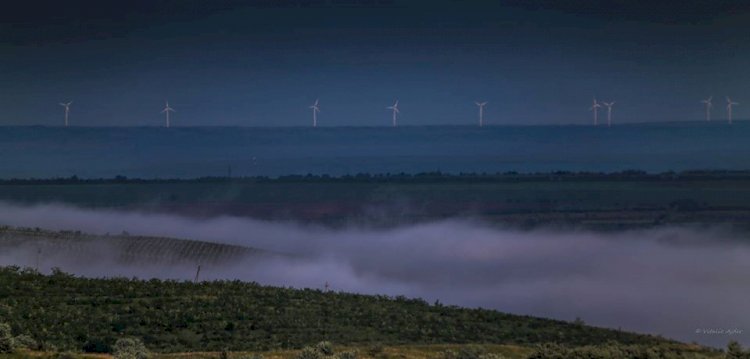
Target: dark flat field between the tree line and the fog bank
(601, 201)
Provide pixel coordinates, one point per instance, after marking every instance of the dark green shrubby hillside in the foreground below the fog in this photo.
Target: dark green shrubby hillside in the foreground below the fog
(74, 313)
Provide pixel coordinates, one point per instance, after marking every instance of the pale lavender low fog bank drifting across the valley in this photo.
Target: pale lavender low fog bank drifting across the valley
(674, 281)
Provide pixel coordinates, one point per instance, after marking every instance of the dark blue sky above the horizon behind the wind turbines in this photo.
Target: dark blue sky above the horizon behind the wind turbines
(262, 63)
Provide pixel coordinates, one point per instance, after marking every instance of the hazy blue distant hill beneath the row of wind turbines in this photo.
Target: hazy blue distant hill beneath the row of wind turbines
(188, 152)
